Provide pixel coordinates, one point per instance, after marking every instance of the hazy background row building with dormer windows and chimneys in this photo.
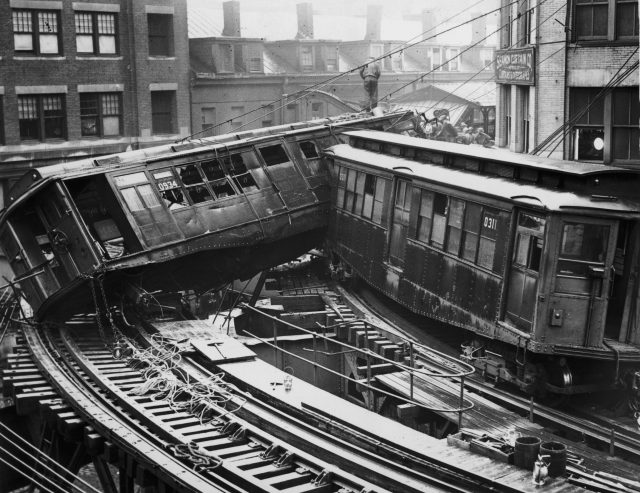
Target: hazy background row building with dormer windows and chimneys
(235, 73)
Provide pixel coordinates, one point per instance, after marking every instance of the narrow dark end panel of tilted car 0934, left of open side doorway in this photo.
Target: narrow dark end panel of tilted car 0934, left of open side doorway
(70, 244)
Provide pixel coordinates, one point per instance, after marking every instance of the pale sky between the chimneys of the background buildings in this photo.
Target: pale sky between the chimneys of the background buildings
(343, 20)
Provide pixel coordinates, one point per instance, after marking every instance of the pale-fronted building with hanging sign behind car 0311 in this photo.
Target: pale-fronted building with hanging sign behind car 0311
(568, 80)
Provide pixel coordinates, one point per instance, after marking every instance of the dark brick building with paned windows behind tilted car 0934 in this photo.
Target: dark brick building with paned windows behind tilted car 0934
(84, 78)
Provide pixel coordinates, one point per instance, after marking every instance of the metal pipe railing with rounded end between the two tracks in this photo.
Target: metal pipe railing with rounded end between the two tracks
(463, 369)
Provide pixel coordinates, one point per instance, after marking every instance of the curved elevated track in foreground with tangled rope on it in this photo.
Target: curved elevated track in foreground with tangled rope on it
(168, 421)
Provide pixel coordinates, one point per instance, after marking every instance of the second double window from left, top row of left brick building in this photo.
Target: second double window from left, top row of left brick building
(96, 33)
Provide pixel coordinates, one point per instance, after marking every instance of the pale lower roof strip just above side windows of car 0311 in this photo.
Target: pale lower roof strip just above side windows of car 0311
(501, 189)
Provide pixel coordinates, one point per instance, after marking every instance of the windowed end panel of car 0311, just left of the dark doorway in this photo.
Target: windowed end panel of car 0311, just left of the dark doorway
(582, 277)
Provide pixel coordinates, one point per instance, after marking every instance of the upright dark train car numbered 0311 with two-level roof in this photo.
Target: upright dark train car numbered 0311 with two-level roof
(537, 258)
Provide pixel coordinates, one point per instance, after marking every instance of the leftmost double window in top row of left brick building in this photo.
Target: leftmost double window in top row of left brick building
(36, 32)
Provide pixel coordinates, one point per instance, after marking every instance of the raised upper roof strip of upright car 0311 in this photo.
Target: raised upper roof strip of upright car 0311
(494, 155)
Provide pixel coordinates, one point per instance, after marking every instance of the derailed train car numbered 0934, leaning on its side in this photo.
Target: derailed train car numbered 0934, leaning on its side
(152, 218)
